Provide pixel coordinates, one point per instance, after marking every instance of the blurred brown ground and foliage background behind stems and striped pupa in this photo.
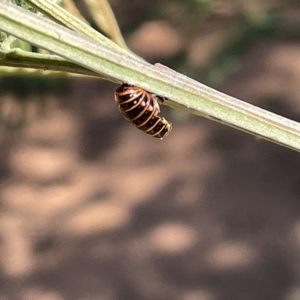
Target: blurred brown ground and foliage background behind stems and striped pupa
(93, 209)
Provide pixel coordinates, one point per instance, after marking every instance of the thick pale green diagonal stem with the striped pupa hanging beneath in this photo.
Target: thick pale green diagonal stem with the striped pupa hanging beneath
(184, 92)
